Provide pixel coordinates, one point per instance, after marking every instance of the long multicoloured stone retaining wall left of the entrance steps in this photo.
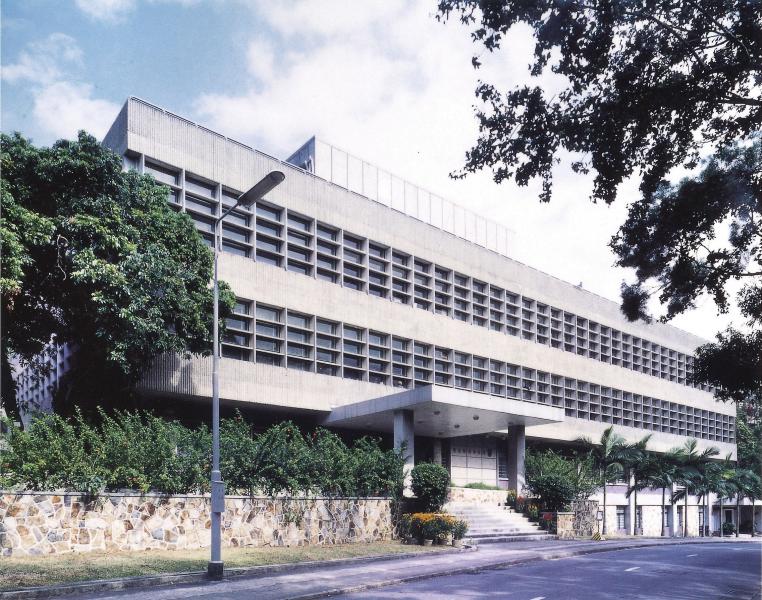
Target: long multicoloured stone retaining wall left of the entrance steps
(46, 523)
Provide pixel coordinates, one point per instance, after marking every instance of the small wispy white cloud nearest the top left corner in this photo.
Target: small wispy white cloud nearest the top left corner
(44, 61)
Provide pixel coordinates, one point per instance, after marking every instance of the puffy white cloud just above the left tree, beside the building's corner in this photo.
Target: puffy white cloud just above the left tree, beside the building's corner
(63, 108)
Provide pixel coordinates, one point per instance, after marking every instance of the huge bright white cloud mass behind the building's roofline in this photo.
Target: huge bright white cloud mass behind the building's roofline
(387, 82)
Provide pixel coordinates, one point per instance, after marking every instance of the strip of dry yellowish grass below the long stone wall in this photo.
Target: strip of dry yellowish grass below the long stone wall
(28, 571)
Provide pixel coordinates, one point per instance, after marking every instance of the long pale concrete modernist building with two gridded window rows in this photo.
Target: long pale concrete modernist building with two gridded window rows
(367, 303)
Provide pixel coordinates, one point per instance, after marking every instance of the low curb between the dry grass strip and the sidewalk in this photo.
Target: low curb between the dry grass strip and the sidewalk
(145, 581)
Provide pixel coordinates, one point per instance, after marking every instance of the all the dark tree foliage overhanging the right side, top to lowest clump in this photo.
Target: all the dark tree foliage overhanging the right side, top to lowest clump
(649, 86)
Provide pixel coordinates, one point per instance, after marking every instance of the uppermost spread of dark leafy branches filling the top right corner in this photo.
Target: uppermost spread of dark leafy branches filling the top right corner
(647, 85)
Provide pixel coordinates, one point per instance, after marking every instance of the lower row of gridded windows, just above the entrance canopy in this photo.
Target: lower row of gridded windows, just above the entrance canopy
(295, 340)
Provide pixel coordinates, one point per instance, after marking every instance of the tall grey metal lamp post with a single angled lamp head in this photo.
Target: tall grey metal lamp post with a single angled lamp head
(215, 566)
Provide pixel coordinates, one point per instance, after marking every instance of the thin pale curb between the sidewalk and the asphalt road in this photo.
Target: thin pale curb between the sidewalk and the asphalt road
(475, 569)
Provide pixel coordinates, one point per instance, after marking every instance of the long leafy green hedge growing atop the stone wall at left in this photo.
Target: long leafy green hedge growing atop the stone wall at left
(143, 452)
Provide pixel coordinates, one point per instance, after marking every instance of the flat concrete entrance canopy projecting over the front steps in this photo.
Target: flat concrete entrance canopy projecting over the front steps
(443, 412)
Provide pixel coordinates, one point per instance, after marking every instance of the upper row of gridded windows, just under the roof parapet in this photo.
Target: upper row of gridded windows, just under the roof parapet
(279, 237)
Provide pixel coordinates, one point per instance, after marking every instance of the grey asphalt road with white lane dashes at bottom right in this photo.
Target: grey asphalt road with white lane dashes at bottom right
(700, 571)
